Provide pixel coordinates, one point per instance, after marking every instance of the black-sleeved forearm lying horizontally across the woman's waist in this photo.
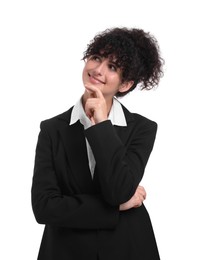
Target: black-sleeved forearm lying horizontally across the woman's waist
(82, 211)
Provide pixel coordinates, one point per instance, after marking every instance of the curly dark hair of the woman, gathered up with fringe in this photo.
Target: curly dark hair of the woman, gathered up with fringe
(136, 53)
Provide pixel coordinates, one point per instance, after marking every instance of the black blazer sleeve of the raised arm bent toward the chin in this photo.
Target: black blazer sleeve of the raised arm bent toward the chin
(120, 166)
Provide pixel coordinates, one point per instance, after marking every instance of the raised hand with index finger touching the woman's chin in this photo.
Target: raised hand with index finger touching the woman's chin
(95, 105)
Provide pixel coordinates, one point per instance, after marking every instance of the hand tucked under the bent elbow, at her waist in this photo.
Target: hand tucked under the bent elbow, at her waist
(136, 200)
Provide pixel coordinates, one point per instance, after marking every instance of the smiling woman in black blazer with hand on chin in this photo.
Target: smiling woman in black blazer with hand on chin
(90, 159)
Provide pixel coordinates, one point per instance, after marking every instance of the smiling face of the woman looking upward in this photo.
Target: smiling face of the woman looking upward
(102, 73)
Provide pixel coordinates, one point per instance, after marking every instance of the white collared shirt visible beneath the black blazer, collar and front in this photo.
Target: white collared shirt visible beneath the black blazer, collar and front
(116, 116)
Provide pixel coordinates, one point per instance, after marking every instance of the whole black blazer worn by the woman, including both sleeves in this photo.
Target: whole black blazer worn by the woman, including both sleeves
(81, 215)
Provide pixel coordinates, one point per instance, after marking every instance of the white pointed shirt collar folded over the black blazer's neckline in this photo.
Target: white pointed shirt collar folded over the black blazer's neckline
(116, 114)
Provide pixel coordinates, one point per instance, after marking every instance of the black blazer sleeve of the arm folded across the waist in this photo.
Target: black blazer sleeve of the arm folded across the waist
(50, 206)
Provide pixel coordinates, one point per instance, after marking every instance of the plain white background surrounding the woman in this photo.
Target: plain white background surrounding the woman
(41, 46)
